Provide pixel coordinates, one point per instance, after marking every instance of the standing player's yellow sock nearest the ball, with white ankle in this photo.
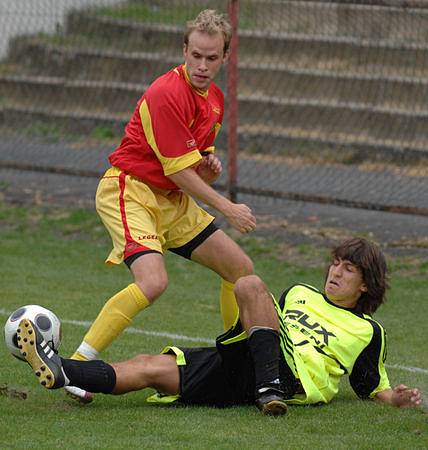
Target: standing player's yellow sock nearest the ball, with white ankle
(115, 316)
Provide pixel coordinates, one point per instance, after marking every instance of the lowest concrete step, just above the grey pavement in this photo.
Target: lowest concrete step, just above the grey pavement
(253, 138)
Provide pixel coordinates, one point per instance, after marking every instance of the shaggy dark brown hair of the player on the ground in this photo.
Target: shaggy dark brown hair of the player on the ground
(368, 257)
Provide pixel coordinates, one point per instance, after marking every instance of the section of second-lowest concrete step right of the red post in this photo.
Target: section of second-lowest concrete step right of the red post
(365, 123)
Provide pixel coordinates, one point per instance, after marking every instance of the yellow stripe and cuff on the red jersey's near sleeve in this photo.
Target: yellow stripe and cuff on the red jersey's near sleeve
(169, 165)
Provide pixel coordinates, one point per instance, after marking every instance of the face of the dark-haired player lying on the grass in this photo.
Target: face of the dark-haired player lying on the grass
(344, 284)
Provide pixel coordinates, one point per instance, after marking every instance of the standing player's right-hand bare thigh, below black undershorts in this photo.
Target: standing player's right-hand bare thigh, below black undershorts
(222, 254)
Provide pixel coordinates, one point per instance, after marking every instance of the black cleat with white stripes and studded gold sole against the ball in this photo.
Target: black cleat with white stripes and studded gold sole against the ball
(45, 363)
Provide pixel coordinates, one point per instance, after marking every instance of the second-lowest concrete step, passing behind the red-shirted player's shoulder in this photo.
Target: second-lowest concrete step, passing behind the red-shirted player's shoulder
(385, 122)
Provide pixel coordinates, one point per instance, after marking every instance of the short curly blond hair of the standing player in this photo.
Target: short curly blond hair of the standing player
(209, 21)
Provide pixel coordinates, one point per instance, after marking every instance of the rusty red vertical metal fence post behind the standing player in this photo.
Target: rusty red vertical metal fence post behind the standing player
(232, 96)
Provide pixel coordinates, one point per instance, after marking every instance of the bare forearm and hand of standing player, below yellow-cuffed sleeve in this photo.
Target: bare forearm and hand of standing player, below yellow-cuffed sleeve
(238, 215)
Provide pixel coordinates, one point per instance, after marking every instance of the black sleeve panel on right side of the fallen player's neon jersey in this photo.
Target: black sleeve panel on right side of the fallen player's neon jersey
(365, 376)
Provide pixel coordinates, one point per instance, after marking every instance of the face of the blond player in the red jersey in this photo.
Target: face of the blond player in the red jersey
(203, 56)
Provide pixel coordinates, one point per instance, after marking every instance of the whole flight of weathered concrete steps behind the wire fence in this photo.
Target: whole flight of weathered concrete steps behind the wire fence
(326, 93)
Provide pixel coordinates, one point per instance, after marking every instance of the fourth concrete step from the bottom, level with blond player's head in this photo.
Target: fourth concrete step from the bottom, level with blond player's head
(298, 50)
